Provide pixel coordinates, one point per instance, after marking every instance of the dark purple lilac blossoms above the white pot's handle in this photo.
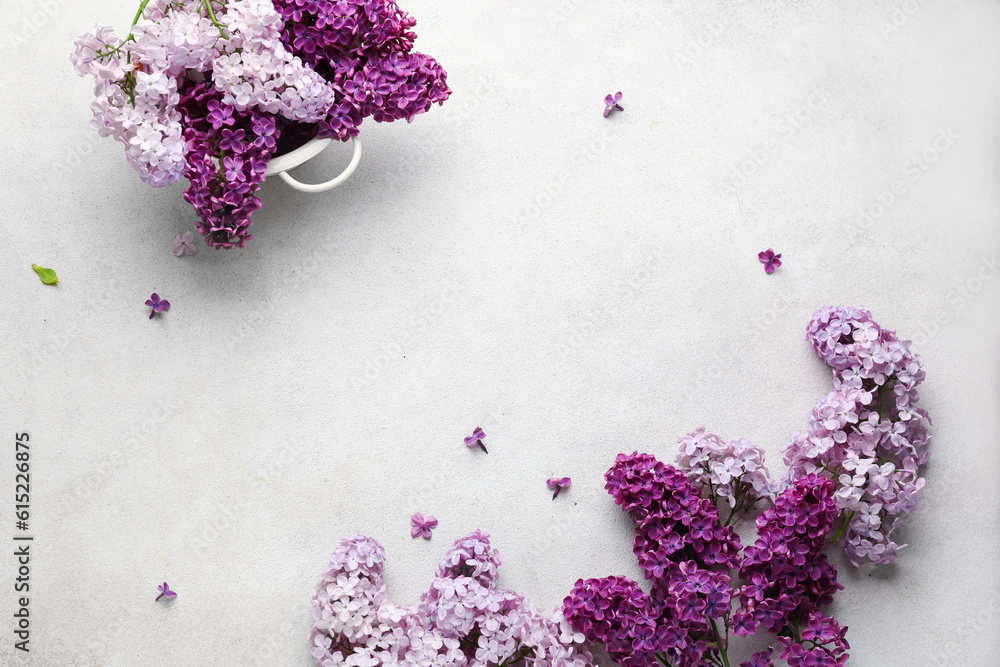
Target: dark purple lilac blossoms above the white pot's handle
(364, 49)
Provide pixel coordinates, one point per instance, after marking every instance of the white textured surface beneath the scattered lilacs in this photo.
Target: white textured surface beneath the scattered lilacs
(320, 381)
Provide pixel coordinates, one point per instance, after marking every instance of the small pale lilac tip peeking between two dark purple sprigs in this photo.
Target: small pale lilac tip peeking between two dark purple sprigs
(729, 470)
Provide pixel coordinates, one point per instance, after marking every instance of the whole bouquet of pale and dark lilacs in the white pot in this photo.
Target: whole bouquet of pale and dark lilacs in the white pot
(204, 89)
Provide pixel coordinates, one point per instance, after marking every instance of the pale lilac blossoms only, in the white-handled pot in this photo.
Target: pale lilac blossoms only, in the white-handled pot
(136, 79)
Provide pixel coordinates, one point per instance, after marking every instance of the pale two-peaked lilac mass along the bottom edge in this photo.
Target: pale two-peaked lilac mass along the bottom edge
(463, 619)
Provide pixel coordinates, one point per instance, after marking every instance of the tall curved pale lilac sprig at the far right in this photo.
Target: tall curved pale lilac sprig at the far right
(868, 433)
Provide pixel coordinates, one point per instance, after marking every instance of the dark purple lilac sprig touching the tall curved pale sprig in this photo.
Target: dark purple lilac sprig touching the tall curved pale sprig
(789, 577)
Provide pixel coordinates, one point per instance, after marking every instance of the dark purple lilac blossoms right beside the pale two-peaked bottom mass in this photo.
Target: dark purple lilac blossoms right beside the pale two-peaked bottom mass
(686, 552)
